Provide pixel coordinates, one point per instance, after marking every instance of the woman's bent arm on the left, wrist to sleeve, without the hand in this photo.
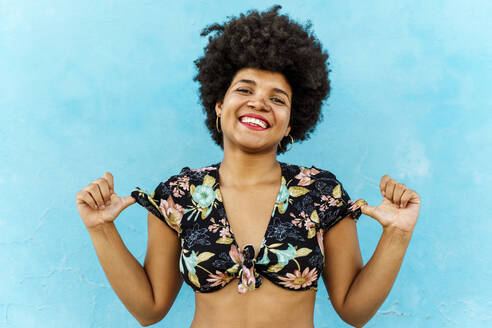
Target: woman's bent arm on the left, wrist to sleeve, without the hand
(147, 292)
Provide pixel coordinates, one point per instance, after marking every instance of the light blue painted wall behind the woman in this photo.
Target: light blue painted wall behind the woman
(94, 86)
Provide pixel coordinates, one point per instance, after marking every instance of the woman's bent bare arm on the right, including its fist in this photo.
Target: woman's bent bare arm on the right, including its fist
(357, 291)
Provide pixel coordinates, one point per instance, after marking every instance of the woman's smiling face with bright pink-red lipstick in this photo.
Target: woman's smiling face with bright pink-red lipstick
(255, 95)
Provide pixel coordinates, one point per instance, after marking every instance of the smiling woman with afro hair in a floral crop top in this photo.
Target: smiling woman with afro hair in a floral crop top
(274, 227)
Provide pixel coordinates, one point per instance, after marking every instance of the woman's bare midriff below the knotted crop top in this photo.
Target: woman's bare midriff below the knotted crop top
(267, 306)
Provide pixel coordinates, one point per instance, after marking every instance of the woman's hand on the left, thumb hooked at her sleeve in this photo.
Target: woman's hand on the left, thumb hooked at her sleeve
(98, 203)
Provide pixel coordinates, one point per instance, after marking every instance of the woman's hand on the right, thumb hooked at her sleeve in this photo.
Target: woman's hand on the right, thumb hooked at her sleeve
(399, 208)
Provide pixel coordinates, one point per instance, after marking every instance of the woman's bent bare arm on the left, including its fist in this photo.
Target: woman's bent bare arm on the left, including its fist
(147, 292)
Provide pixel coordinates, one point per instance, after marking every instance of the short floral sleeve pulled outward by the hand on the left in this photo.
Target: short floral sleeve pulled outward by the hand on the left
(161, 203)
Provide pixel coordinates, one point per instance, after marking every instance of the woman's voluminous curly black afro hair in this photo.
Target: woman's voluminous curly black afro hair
(271, 42)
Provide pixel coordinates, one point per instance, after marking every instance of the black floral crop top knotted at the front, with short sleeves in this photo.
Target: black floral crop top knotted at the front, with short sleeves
(309, 202)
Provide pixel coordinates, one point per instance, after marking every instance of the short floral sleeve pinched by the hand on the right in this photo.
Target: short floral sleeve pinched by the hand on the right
(334, 201)
